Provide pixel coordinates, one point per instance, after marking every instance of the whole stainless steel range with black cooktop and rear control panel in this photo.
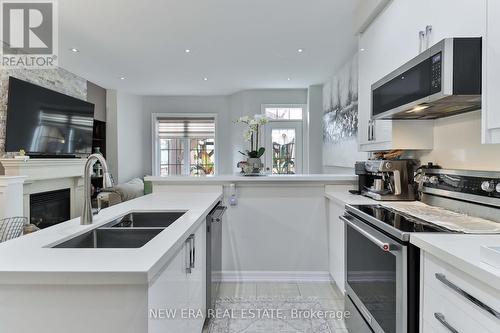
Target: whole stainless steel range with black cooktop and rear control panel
(382, 267)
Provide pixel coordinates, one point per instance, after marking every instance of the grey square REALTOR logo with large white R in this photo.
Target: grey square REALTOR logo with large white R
(29, 33)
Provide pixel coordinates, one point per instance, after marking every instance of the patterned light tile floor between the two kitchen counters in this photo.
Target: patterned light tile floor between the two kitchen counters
(325, 296)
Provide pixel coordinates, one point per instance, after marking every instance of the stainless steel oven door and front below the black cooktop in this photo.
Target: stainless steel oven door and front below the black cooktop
(382, 270)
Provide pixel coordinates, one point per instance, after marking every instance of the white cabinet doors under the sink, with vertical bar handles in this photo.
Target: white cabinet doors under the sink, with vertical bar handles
(178, 292)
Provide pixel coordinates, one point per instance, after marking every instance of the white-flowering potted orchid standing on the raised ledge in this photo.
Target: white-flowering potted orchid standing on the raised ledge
(254, 164)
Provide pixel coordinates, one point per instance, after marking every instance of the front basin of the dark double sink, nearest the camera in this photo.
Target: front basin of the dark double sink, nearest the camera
(112, 238)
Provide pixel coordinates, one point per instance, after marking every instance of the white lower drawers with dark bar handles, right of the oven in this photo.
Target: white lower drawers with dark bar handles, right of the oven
(451, 300)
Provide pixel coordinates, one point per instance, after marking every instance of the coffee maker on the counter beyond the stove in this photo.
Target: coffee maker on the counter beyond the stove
(387, 180)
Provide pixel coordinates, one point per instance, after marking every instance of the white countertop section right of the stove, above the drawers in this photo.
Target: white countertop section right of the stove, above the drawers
(462, 252)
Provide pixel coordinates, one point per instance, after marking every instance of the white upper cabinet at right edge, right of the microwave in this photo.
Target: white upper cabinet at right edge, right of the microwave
(491, 74)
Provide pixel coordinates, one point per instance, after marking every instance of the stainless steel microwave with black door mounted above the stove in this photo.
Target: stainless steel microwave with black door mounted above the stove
(442, 81)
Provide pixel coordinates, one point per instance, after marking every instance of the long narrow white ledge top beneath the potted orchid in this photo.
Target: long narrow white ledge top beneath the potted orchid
(321, 178)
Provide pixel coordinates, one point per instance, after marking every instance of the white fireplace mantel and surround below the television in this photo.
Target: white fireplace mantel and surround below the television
(47, 174)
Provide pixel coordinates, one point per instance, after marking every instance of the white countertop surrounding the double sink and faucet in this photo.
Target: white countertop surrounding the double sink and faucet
(29, 259)
